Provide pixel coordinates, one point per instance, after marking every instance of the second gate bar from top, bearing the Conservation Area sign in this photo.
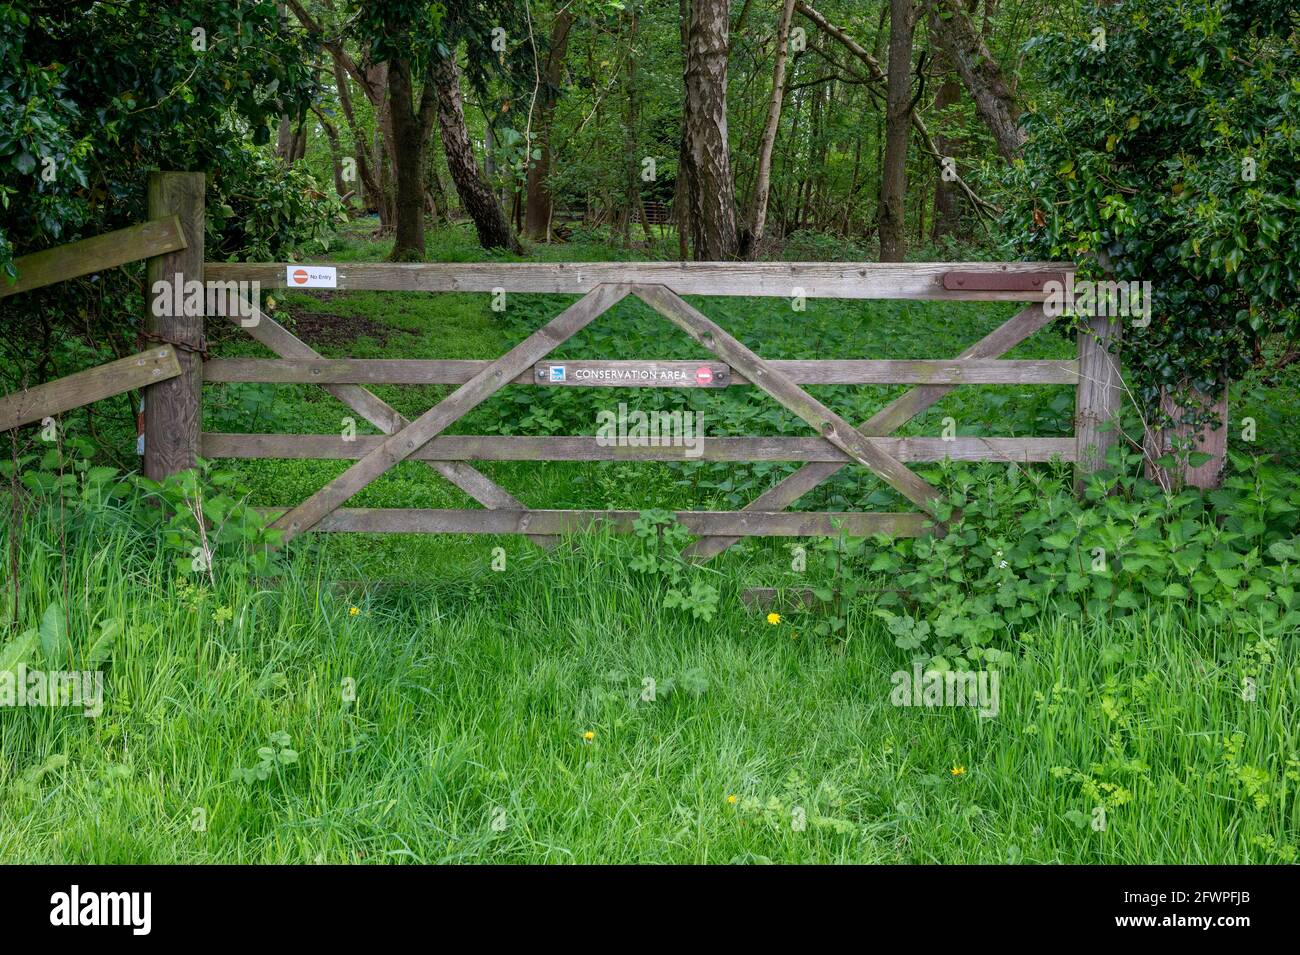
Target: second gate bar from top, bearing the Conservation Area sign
(626, 374)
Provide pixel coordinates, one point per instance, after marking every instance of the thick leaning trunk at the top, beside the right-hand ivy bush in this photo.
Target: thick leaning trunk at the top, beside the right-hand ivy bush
(965, 47)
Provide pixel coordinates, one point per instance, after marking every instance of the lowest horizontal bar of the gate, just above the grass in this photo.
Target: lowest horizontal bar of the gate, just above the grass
(700, 523)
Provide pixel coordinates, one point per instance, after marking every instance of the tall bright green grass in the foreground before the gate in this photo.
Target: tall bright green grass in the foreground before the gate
(475, 691)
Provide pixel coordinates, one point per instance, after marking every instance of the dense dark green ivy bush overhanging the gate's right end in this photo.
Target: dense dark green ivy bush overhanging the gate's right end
(1168, 153)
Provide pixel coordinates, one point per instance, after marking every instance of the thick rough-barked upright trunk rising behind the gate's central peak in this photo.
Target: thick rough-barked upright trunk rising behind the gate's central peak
(713, 198)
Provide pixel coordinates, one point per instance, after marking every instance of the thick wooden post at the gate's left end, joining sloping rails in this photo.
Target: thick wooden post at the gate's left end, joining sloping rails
(174, 410)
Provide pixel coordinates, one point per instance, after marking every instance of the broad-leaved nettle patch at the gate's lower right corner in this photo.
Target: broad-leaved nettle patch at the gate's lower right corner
(1019, 542)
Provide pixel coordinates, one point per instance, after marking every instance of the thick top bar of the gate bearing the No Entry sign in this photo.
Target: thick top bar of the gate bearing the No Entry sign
(778, 280)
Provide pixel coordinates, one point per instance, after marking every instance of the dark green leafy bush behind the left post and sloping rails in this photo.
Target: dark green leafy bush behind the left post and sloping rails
(96, 97)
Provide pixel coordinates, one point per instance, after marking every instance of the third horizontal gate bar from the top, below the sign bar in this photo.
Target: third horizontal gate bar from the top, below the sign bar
(473, 448)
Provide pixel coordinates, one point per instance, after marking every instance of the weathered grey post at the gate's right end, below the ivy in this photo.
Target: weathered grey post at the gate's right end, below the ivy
(1099, 397)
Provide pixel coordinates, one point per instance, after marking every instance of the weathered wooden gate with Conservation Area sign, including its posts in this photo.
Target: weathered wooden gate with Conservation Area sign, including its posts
(174, 407)
